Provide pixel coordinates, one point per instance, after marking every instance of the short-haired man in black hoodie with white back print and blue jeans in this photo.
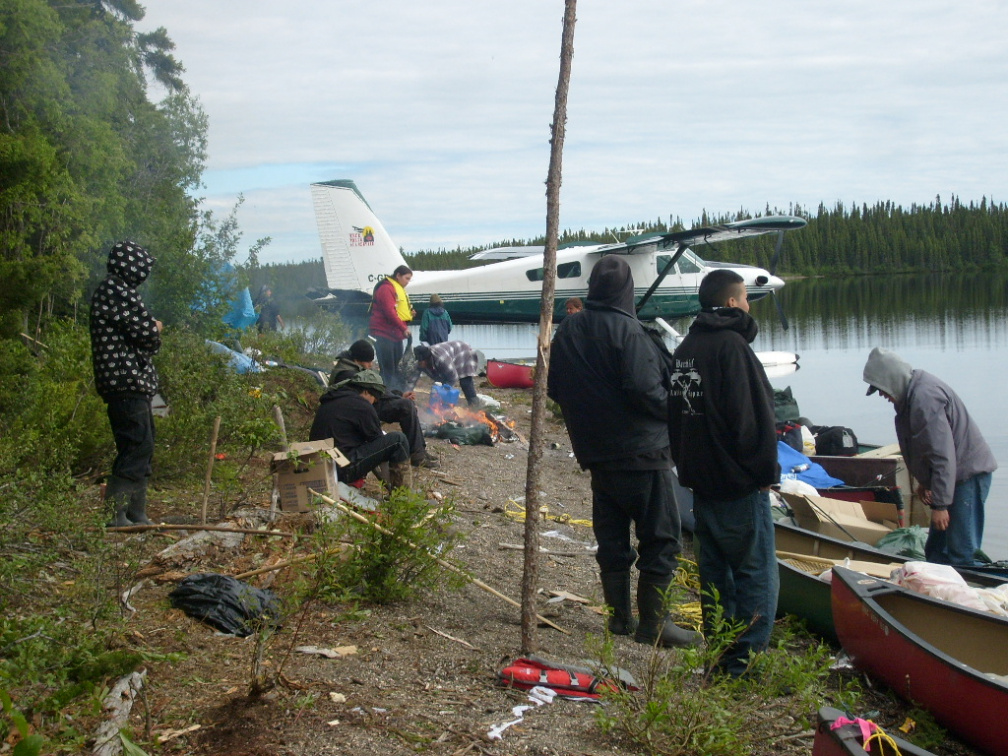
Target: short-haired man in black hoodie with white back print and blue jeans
(721, 424)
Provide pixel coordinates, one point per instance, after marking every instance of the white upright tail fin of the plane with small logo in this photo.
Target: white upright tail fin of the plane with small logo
(356, 250)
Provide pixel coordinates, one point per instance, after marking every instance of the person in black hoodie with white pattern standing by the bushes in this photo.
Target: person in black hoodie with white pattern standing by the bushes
(124, 339)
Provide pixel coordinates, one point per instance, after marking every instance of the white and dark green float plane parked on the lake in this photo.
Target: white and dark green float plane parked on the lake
(358, 253)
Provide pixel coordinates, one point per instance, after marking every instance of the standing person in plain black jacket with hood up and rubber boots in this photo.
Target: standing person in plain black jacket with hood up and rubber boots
(612, 385)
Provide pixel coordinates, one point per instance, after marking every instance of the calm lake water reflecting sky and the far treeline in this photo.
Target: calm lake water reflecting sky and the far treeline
(953, 327)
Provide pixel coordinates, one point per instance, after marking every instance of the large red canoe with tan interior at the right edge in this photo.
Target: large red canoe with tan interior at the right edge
(934, 654)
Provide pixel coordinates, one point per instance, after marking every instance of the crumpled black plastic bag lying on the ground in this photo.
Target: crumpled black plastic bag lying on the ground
(226, 603)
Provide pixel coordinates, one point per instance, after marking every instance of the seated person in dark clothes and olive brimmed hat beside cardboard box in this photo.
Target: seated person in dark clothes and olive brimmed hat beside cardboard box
(347, 416)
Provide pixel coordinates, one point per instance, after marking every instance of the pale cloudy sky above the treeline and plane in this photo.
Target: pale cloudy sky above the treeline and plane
(441, 112)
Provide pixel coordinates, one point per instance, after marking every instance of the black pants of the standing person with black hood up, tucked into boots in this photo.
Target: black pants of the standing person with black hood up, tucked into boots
(642, 497)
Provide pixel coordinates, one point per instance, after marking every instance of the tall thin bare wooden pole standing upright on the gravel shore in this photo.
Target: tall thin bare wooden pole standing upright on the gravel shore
(531, 578)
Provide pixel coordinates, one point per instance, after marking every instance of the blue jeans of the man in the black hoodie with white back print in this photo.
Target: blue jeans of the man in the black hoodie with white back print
(737, 557)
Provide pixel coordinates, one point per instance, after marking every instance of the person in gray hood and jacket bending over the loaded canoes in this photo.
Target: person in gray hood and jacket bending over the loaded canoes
(944, 451)
